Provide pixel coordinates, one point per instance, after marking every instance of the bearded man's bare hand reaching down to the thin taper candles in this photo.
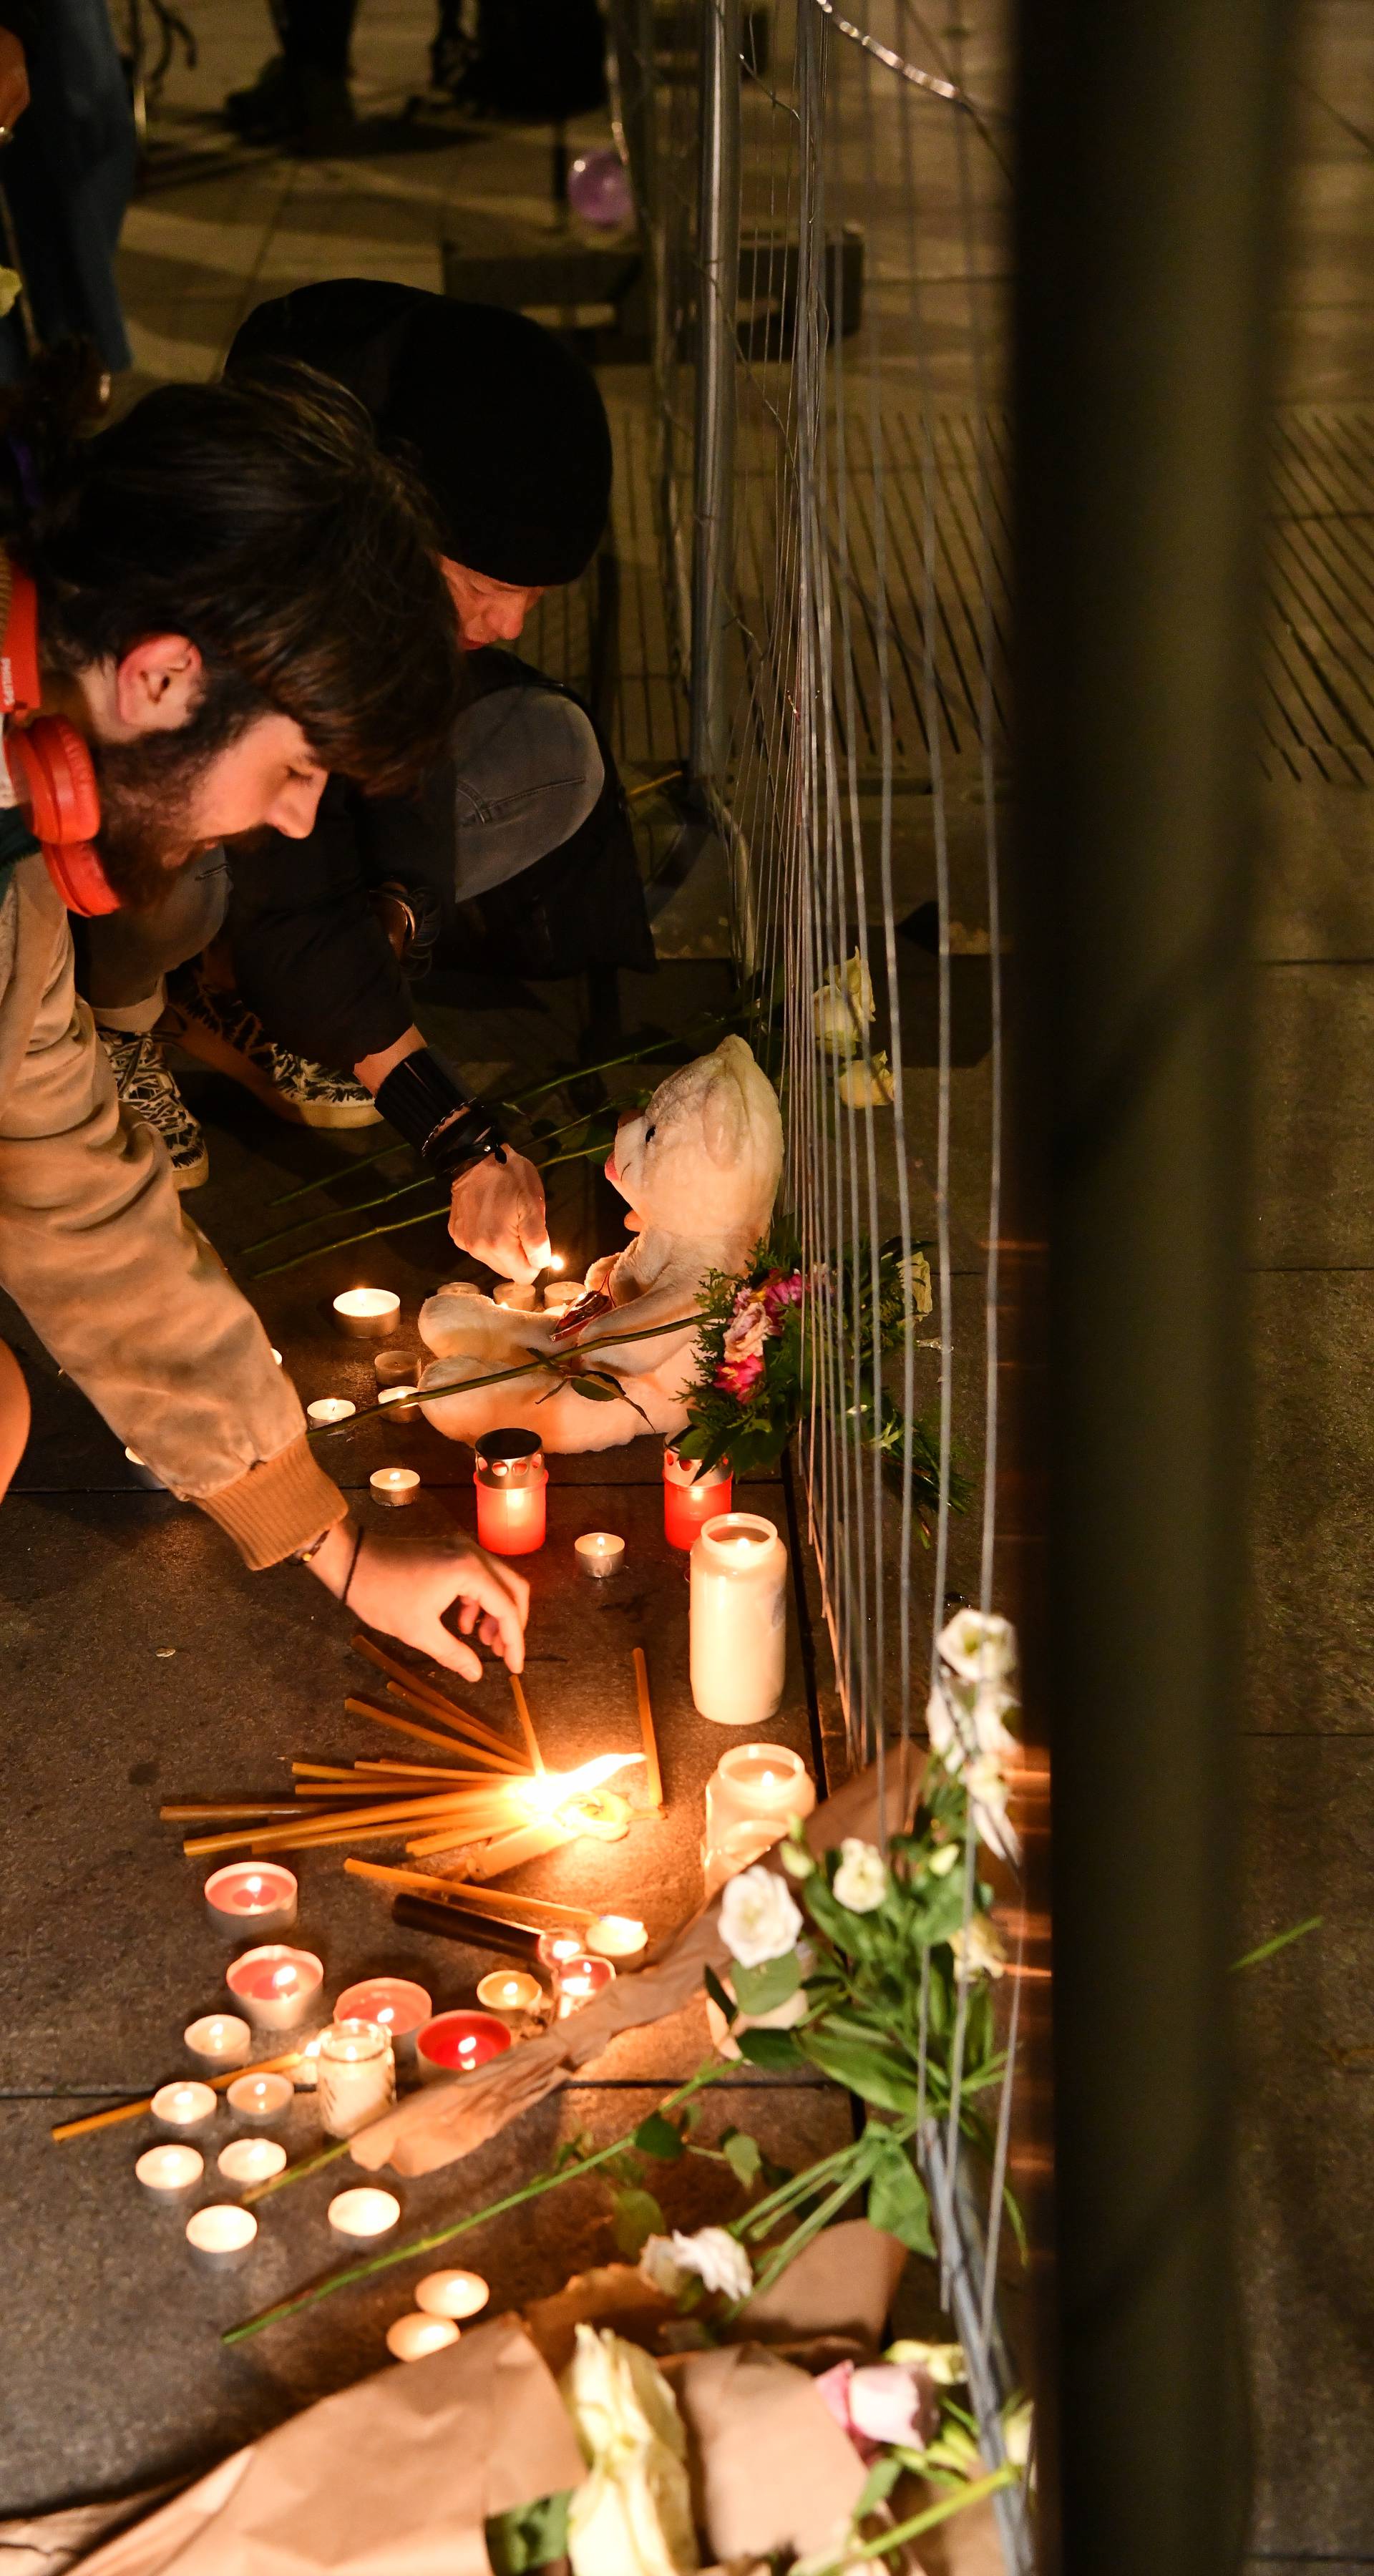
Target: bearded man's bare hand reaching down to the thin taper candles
(406, 1586)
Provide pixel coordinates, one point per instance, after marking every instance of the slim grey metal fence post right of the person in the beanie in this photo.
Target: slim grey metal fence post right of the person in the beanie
(718, 285)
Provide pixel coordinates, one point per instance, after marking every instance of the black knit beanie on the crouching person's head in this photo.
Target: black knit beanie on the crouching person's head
(504, 424)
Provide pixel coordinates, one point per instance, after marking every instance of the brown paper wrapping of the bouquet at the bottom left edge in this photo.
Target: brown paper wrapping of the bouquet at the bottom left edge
(391, 2479)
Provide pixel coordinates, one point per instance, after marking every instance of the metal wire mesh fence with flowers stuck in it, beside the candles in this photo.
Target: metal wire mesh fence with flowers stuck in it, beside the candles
(824, 215)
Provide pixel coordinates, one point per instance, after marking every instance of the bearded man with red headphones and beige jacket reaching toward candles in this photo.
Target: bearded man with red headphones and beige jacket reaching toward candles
(202, 614)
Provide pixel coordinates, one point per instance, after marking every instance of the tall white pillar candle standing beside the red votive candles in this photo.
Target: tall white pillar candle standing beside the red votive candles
(739, 1619)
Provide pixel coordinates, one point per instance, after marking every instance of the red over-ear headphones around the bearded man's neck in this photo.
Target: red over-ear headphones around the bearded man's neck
(50, 764)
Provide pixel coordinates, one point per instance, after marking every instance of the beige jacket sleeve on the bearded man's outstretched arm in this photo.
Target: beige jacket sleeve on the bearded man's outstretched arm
(115, 1276)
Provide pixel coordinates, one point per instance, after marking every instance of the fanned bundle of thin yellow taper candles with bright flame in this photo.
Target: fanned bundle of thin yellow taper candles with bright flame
(496, 1804)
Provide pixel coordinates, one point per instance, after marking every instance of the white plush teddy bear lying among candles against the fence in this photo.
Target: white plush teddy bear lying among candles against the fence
(702, 1171)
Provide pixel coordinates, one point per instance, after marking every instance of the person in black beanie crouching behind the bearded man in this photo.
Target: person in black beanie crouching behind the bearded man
(522, 833)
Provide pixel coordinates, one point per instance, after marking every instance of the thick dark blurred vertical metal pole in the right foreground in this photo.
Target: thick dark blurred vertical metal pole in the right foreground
(1146, 254)
